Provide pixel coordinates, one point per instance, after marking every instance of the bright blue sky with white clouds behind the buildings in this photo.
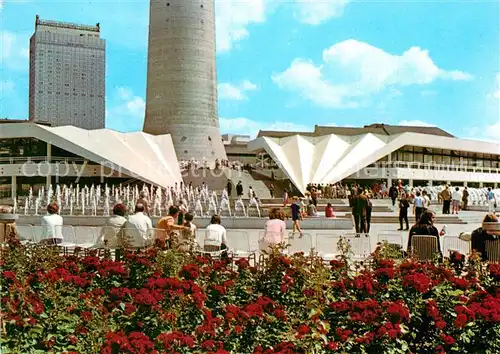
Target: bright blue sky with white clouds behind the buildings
(292, 64)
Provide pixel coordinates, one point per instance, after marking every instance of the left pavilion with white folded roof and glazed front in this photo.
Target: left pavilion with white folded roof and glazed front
(36, 156)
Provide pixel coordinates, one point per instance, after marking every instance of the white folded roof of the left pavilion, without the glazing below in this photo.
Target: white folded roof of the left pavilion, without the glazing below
(150, 158)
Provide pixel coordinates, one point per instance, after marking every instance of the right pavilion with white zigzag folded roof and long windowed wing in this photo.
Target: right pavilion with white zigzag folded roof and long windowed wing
(378, 153)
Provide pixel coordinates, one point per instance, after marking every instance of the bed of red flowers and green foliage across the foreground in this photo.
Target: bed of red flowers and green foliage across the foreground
(163, 302)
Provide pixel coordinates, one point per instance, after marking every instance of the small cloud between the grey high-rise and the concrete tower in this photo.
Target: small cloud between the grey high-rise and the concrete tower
(126, 110)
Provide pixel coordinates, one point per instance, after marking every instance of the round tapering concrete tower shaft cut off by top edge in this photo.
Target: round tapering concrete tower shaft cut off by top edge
(181, 96)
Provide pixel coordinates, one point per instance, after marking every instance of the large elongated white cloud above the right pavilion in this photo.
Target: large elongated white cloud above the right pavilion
(352, 69)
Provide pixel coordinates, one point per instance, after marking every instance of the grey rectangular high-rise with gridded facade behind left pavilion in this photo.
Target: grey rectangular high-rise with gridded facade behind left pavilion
(67, 74)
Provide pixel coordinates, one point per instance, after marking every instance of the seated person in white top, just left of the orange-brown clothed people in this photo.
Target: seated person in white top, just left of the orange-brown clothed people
(138, 229)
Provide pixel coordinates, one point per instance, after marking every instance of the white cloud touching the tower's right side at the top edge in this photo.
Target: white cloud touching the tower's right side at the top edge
(233, 18)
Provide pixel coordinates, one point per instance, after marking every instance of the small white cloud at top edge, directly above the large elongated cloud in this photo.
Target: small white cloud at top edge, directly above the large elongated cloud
(315, 12)
